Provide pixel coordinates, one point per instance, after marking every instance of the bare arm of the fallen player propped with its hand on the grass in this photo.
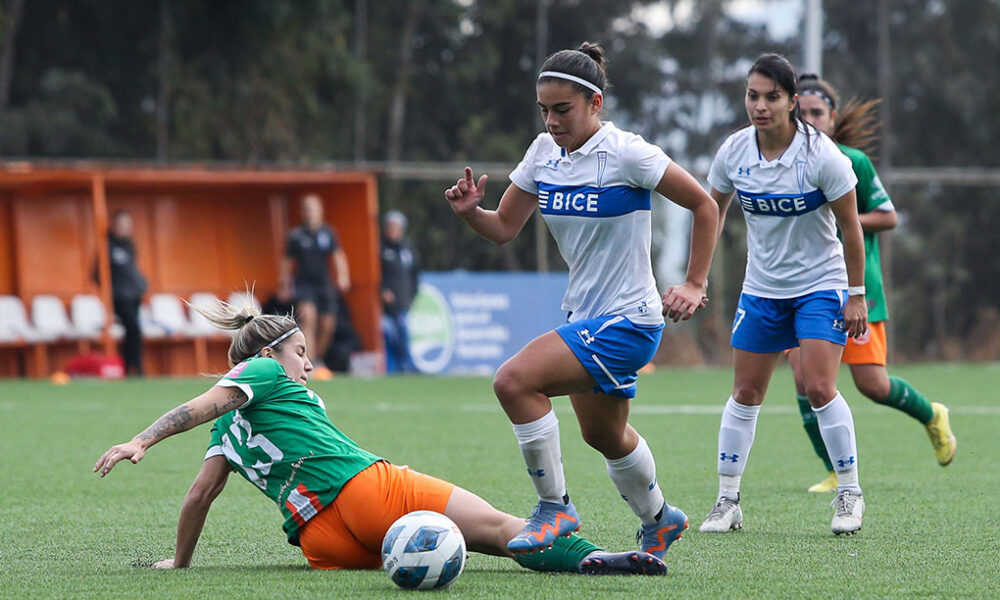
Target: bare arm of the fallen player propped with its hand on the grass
(205, 489)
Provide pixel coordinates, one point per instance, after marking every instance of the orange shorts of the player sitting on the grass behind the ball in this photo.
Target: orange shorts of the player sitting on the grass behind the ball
(348, 533)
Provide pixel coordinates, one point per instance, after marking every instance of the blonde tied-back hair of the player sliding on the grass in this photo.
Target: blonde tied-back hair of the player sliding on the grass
(254, 331)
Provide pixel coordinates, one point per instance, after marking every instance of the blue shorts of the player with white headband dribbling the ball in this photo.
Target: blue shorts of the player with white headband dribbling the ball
(612, 349)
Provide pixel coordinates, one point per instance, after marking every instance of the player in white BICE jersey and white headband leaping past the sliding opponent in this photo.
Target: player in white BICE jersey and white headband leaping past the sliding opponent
(591, 182)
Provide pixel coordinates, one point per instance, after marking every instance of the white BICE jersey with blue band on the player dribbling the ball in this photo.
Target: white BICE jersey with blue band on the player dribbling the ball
(596, 202)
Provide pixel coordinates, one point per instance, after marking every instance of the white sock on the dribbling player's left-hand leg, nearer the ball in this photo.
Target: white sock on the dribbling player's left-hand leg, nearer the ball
(539, 441)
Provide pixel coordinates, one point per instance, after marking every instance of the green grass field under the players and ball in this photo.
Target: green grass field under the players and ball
(929, 532)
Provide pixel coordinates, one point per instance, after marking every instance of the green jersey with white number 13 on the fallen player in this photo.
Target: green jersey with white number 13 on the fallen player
(282, 441)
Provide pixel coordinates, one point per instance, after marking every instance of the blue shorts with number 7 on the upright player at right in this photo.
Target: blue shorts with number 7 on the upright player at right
(768, 325)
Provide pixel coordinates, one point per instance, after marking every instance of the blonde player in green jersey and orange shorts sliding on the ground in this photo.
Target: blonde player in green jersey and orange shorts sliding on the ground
(337, 499)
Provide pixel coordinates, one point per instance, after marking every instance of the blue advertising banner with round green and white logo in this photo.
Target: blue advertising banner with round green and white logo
(470, 323)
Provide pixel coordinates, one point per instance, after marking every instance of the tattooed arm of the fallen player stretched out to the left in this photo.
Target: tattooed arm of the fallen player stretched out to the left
(210, 405)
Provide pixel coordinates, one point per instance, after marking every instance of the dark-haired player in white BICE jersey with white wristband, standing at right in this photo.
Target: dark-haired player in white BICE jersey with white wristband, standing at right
(802, 286)
